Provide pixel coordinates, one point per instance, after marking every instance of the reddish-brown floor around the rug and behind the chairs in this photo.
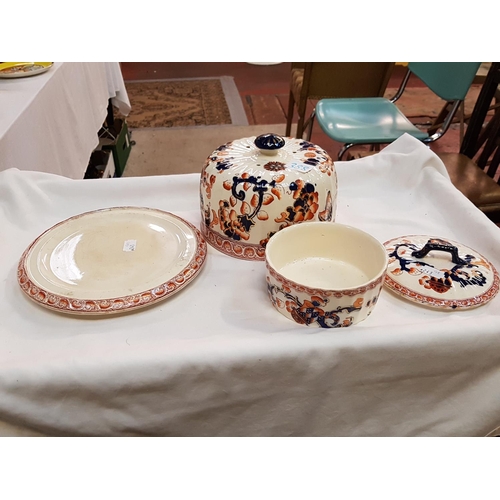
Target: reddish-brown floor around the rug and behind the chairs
(264, 91)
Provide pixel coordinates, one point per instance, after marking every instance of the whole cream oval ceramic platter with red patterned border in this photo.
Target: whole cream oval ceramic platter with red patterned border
(111, 260)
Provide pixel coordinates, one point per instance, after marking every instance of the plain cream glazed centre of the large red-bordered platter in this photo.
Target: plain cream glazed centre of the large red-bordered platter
(111, 253)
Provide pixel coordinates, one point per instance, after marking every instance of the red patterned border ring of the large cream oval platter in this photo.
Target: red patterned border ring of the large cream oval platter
(115, 304)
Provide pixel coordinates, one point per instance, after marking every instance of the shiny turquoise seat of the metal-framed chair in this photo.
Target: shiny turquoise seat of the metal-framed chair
(373, 120)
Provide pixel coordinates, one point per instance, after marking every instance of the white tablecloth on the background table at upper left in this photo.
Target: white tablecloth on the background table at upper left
(49, 122)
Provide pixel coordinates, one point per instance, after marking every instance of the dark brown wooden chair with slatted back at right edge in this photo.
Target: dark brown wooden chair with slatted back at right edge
(475, 170)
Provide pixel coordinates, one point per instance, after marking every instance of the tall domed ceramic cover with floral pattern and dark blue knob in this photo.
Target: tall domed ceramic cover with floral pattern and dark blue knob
(252, 188)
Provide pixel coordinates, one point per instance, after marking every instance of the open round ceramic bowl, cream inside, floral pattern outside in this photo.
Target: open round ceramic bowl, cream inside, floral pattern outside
(325, 275)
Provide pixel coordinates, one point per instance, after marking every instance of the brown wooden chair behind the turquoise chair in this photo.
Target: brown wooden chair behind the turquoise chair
(318, 80)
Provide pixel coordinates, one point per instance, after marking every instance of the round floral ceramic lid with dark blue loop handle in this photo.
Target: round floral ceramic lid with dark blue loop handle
(439, 273)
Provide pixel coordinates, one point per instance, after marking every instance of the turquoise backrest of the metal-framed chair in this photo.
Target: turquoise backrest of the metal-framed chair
(450, 81)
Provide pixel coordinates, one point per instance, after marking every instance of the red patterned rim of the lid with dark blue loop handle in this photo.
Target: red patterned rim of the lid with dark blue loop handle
(452, 304)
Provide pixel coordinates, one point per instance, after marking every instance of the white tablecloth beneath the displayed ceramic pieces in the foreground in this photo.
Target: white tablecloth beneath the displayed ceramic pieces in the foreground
(217, 359)
